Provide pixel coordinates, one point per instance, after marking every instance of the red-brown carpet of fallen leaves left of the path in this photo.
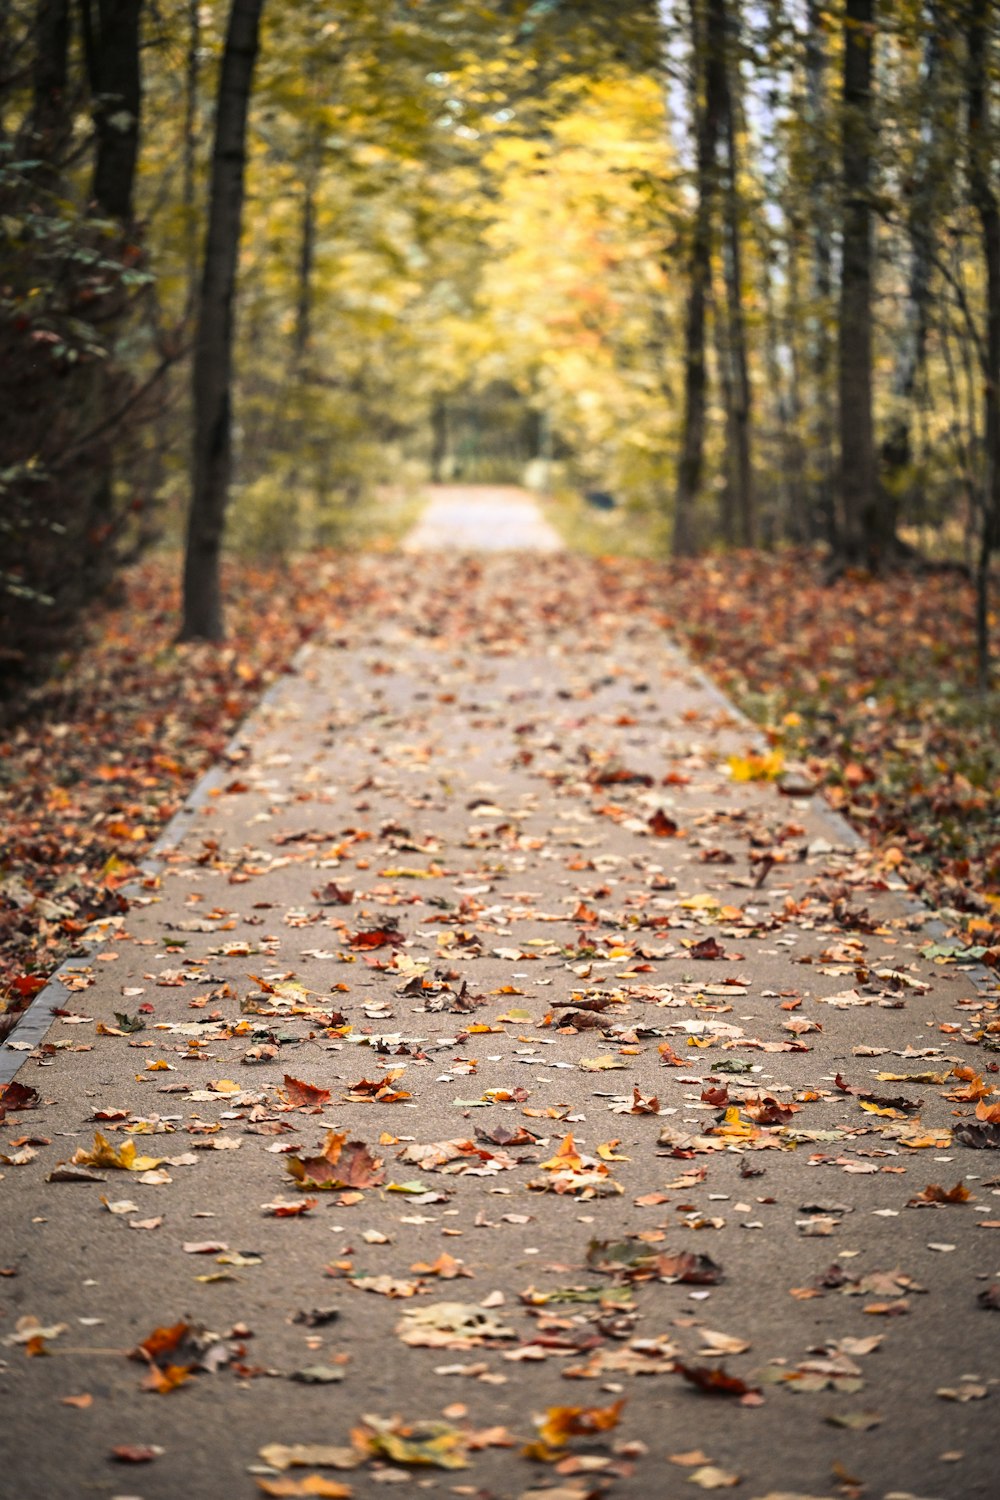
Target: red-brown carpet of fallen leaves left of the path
(104, 754)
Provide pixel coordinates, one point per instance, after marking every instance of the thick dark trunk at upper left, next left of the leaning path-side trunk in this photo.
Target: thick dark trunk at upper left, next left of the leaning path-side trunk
(112, 47)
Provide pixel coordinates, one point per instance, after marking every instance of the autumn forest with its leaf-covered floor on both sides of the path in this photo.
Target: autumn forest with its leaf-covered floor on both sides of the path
(732, 274)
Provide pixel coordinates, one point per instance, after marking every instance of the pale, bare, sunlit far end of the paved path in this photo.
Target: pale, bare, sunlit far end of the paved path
(482, 518)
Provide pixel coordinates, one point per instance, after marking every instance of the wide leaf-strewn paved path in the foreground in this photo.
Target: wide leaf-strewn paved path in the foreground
(635, 1054)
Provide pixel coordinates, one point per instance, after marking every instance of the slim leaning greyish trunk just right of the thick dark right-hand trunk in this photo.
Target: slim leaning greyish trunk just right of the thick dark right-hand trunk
(912, 344)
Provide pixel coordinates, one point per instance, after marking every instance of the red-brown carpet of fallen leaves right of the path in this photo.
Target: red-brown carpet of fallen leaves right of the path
(872, 683)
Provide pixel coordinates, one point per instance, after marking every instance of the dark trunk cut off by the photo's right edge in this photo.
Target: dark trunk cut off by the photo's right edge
(984, 199)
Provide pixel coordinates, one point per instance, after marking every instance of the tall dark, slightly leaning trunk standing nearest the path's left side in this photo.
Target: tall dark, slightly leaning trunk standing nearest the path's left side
(212, 454)
